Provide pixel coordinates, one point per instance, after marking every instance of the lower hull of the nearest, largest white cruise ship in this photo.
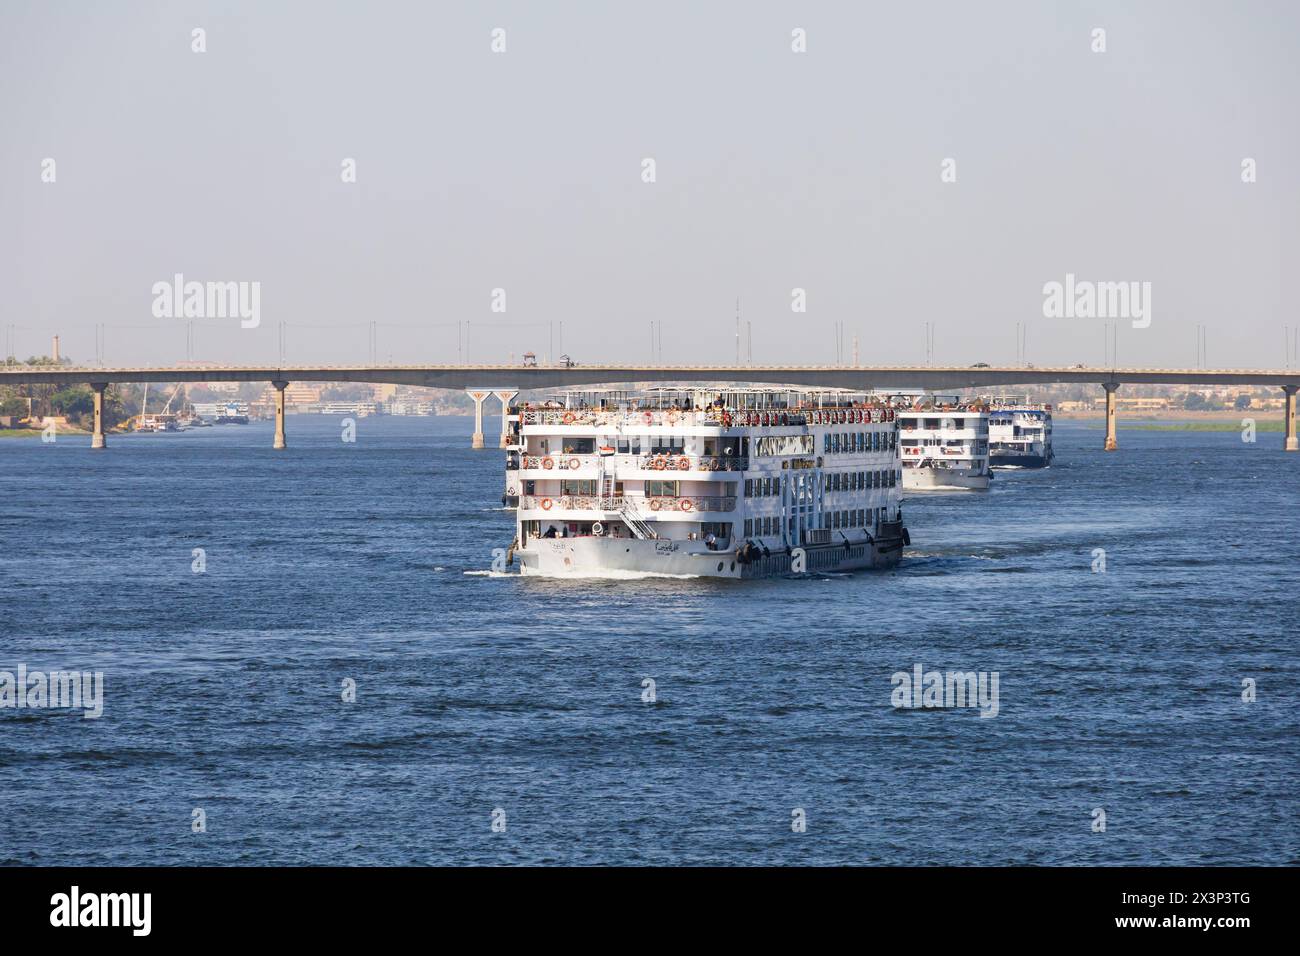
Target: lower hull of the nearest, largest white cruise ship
(593, 557)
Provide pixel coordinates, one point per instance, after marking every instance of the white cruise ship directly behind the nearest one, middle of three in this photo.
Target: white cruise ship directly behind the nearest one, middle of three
(946, 449)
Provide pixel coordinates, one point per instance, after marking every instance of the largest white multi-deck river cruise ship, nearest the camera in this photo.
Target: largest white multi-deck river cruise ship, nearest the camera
(733, 483)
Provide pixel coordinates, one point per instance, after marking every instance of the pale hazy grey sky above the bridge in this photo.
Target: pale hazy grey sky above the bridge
(523, 171)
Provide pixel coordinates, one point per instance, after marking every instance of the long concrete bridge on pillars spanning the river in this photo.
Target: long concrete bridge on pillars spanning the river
(505, 382)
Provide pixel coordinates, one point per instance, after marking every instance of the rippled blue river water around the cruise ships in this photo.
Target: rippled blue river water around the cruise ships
(489, 698)
